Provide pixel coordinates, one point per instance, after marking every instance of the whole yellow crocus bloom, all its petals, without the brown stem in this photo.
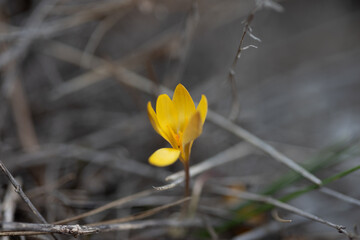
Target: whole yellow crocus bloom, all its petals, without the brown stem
(179, 123)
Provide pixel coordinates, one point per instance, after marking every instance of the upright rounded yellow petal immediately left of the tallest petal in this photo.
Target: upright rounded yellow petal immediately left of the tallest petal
(166, 113)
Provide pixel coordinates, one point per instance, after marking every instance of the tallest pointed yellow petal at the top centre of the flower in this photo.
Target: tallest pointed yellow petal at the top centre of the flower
(183, 104)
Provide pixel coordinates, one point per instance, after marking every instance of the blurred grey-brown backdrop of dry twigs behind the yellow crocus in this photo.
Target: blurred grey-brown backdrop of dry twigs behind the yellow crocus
(75, 79)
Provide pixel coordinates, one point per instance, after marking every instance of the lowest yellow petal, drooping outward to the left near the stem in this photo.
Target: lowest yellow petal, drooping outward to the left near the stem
(164, 157)
